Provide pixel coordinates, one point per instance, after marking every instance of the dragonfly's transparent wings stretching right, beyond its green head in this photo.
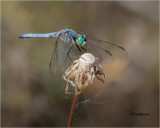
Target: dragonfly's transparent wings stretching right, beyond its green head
(104, 50)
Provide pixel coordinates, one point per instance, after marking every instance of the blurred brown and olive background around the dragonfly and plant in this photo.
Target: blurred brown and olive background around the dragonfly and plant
(32, 97)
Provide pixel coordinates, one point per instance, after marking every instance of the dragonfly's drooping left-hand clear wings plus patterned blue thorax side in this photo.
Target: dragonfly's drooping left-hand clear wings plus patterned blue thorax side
(64, 54)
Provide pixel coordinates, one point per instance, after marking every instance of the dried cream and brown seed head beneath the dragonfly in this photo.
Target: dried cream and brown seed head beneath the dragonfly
(82, 72)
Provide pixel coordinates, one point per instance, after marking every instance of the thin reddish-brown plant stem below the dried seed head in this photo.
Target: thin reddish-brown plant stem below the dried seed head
(72, 109)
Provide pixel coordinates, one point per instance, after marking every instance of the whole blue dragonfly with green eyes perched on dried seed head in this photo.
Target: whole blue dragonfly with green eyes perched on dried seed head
(70, 45)
